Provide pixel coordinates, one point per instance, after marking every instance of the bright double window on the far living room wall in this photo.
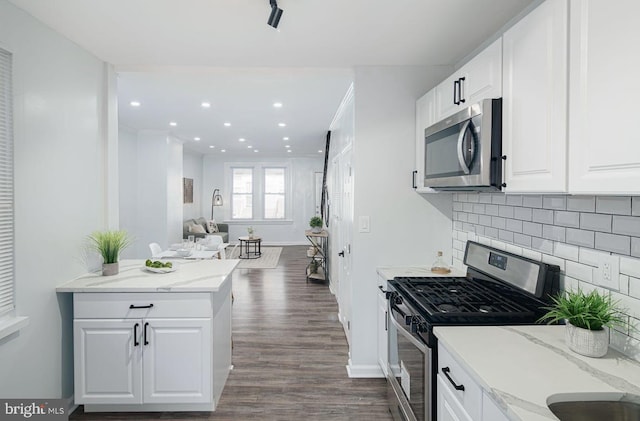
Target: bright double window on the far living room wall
(260, 192)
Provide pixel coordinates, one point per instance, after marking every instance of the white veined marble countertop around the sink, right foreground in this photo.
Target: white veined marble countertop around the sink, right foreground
(525, 367)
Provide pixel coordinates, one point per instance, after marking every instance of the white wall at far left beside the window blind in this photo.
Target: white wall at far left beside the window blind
(59, 92)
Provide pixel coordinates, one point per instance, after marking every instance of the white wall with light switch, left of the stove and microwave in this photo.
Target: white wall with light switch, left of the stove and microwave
(406, 228)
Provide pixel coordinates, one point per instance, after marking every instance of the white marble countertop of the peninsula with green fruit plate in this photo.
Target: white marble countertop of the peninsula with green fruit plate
(190, 276)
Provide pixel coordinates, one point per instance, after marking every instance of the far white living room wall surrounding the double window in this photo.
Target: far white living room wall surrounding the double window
(290, 232)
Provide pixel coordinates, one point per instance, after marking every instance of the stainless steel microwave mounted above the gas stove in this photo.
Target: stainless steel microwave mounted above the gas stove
(464, 151)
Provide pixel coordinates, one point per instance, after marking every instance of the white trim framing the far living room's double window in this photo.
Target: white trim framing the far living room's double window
(258, 192)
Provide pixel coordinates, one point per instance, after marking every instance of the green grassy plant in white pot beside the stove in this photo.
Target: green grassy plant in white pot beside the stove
(588, 318)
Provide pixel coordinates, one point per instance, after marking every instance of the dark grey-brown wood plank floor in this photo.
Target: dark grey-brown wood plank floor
(289, 355)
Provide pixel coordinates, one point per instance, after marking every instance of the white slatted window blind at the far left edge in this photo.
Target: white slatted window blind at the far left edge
(6, 186)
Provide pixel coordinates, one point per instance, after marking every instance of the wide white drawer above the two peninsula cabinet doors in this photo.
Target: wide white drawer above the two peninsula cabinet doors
(136, 305)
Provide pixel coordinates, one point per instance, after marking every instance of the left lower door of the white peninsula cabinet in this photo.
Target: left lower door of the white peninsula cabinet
(107, 361)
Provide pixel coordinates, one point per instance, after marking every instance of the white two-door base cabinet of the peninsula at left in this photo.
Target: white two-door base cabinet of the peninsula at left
(151, 351)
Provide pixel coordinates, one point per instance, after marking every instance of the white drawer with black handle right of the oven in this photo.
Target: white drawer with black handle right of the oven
(471, 396)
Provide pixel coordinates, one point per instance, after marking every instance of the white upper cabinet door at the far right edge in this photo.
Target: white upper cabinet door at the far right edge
(604, 88)
